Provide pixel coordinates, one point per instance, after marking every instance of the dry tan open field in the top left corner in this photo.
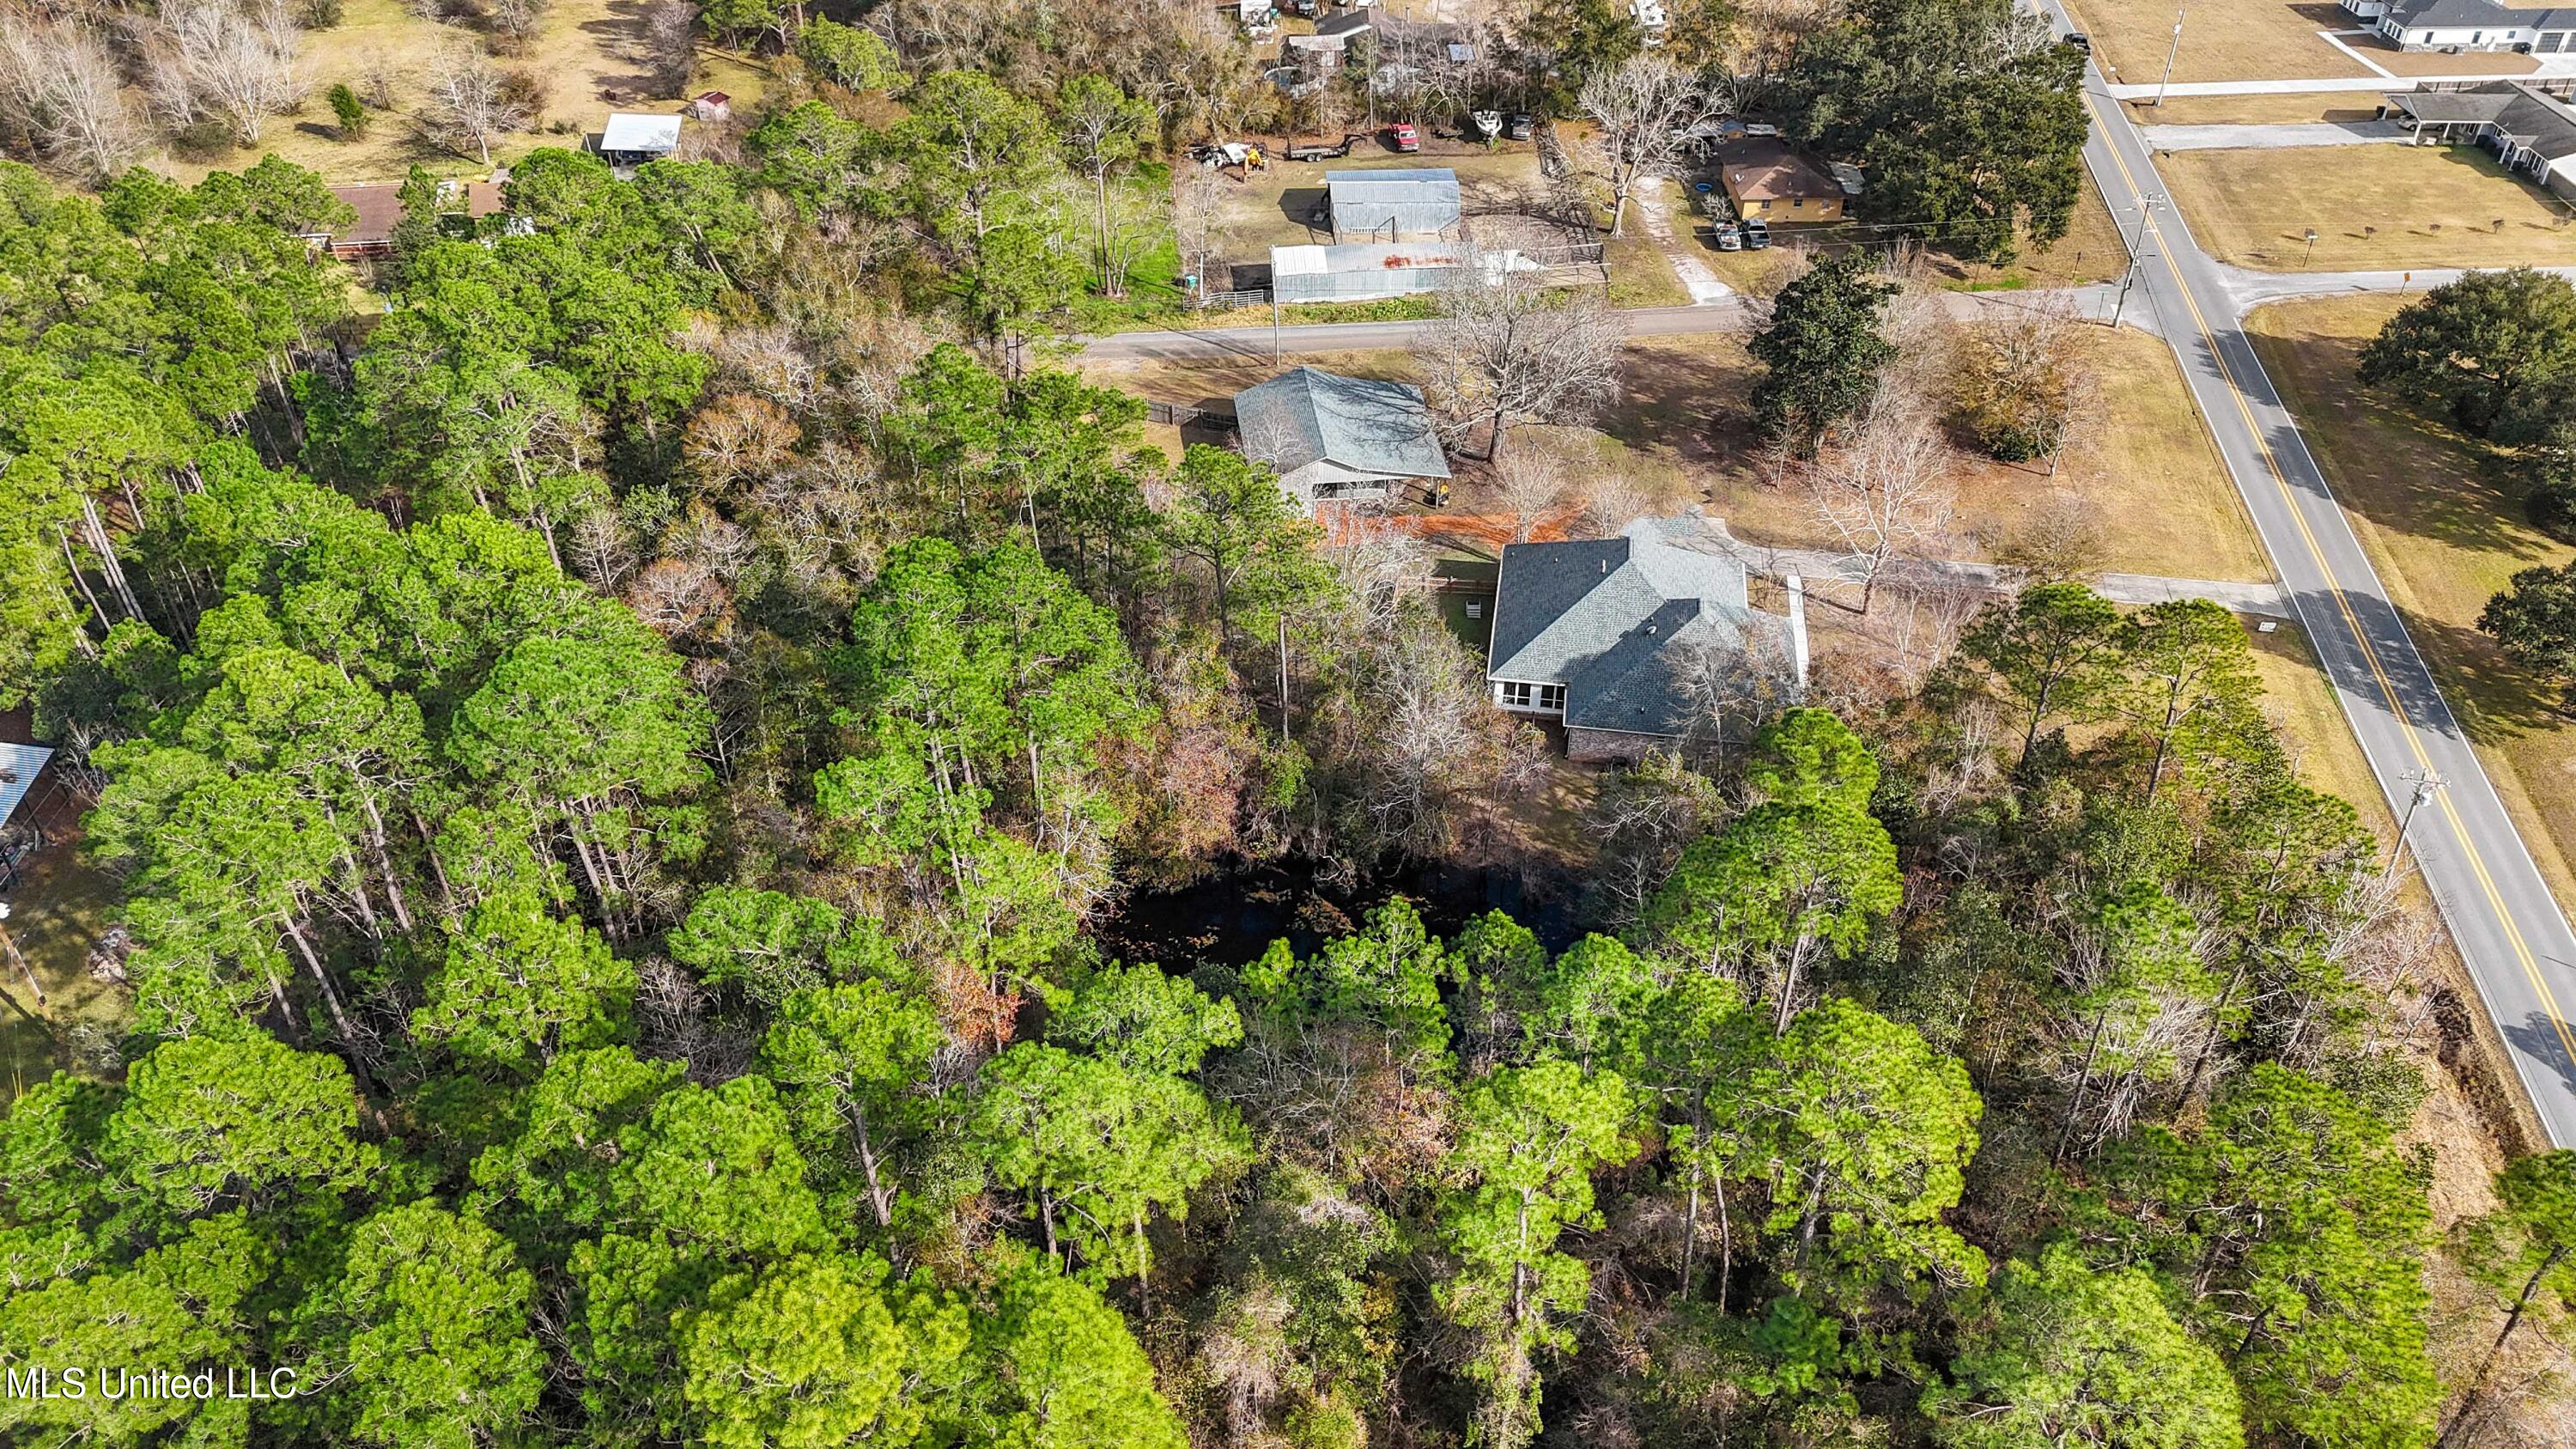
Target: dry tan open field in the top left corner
(583, 53)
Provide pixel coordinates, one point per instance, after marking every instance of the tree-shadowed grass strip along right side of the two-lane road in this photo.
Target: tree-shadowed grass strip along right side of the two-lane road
(2446, 538)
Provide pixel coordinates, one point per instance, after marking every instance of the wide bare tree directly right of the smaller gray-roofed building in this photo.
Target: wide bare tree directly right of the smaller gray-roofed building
(1508, 352)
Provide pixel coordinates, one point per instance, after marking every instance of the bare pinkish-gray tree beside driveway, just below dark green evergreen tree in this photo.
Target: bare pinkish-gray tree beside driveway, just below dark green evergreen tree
(1889, 486)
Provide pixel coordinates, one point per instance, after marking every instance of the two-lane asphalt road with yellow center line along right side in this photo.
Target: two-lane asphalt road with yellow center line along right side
(2500, 911)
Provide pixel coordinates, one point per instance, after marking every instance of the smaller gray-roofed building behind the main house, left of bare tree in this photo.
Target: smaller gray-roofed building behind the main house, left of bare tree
(1338, 437)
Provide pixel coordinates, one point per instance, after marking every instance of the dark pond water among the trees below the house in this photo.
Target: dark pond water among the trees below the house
(1233, 917)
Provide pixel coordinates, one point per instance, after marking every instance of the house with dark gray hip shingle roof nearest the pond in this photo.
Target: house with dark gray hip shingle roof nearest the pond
(1642, 643)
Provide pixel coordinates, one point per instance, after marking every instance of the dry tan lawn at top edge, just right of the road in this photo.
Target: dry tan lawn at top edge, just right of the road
(2258, 40)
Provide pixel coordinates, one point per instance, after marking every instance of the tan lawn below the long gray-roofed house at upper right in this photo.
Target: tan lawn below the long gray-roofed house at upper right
(2374, 208)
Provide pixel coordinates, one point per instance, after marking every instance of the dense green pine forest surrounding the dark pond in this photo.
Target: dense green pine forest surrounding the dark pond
(617, 749)
